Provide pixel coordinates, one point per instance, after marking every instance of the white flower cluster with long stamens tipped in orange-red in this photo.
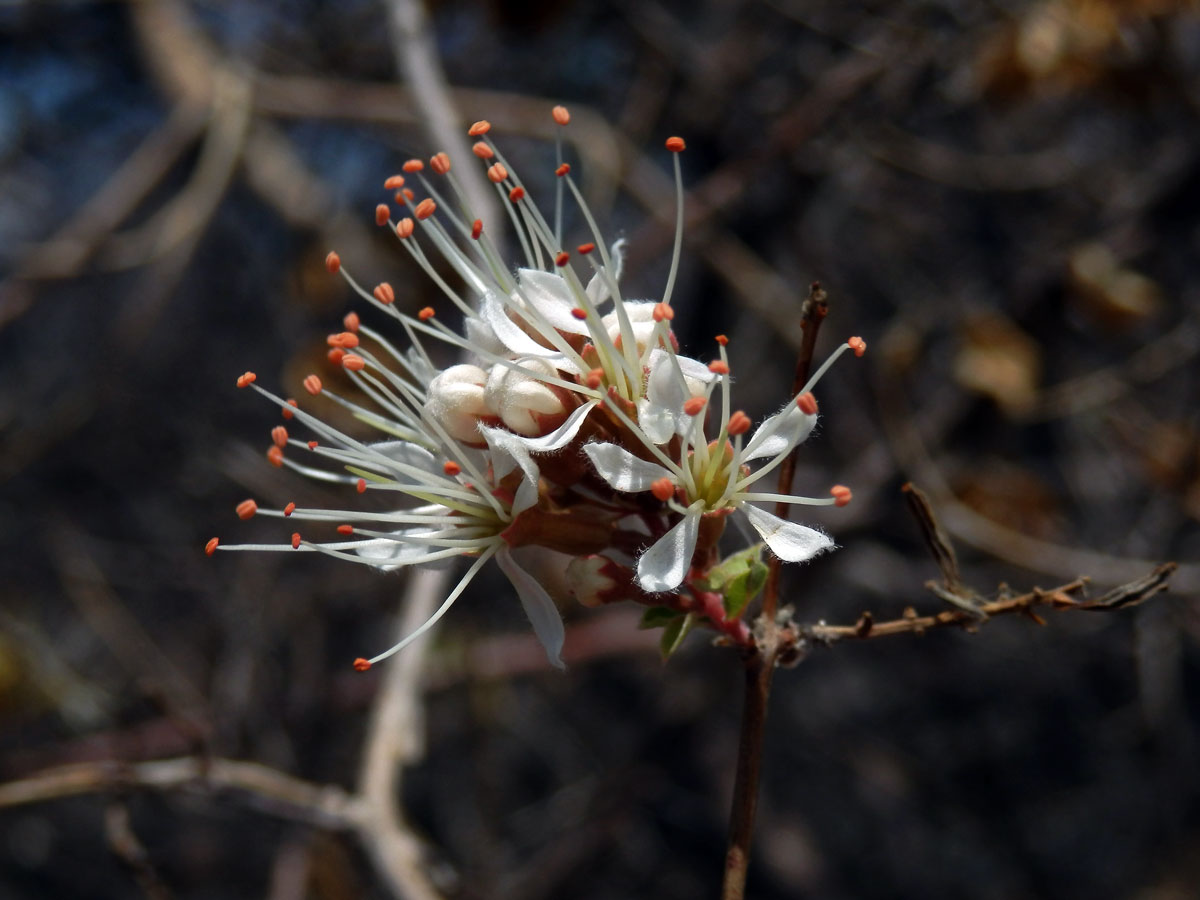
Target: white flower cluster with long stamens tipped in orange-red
(575, 425)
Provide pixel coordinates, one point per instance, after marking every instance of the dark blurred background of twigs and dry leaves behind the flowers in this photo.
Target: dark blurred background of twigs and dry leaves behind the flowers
(1001, 199)
